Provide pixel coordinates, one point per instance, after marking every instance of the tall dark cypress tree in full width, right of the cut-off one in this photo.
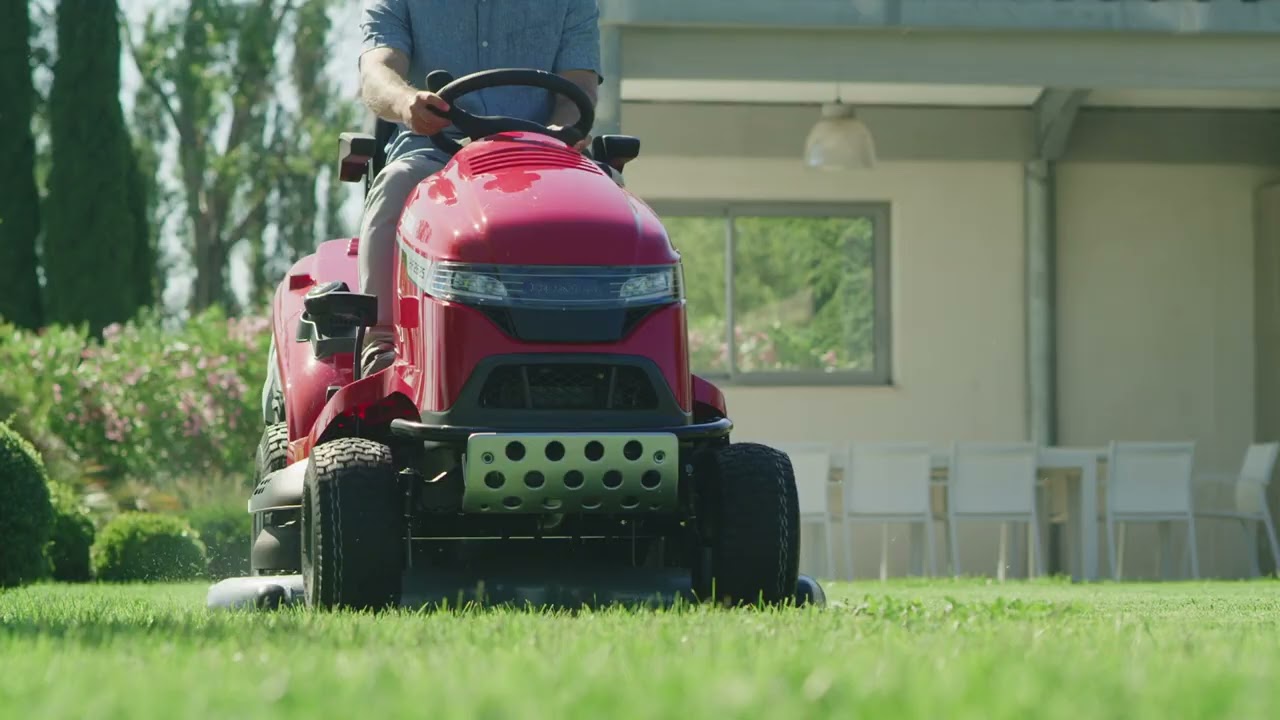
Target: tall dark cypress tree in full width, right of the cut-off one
(97, 247)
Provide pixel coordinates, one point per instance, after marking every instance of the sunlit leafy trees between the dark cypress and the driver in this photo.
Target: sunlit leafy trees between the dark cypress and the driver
(248, 129)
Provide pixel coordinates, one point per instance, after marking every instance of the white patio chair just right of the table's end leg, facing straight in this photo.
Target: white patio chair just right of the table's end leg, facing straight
(1150, 482)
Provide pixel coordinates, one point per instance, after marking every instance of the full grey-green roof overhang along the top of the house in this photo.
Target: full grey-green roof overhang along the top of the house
(1203, 45)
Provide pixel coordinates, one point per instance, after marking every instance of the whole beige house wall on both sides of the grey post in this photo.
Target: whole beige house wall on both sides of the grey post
(1156, 299)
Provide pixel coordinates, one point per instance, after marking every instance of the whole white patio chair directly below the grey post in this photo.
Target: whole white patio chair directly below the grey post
(995, 482)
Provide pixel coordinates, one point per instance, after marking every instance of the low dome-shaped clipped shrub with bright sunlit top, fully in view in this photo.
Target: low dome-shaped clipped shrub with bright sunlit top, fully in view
(148, 548)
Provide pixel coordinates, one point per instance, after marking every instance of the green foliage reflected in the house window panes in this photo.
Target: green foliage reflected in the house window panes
(804, 295)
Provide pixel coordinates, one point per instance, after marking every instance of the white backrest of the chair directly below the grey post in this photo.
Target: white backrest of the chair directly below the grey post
(993, 479)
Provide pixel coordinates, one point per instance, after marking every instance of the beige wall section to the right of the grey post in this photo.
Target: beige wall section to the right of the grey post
(1156, 322)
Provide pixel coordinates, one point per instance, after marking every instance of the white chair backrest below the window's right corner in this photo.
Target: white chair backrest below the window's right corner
(888, 480)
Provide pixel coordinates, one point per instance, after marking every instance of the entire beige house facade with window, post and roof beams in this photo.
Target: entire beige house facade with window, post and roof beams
(1072, 235)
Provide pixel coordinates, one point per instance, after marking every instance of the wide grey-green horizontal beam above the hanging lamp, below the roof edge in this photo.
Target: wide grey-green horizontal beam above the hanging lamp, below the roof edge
(1062, 60)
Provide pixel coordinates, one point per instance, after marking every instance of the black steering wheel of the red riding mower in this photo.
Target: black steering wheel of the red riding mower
(477, 127)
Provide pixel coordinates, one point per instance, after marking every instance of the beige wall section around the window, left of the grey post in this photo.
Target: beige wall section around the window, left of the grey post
(957, 266)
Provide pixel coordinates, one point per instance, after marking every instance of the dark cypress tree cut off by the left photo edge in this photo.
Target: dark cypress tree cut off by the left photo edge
(20, 199)
